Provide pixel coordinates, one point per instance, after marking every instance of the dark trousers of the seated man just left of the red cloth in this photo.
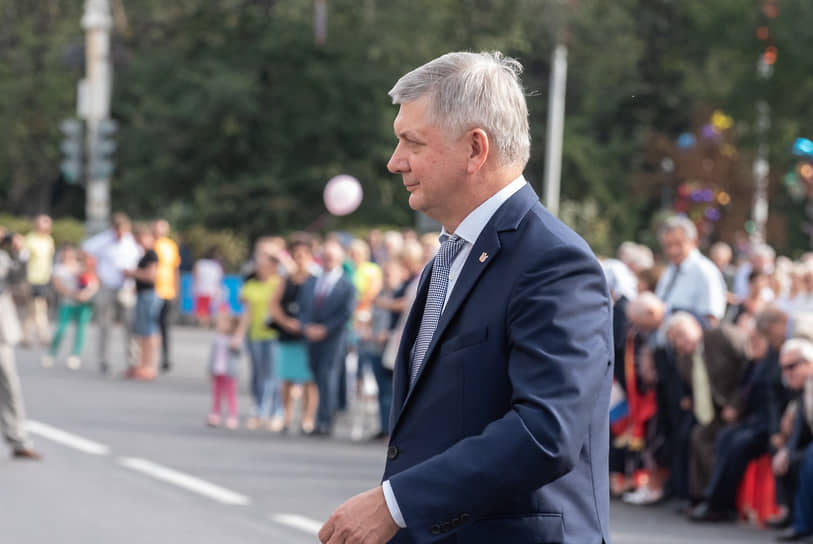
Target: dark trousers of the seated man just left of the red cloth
(735, 447)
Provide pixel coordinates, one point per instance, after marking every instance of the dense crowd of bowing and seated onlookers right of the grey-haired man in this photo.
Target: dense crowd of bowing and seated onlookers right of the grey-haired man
(714, 358)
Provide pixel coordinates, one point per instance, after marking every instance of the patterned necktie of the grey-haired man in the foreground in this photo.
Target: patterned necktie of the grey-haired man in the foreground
(434, 301)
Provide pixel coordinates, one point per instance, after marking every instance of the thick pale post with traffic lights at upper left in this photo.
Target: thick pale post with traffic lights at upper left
(97, 23)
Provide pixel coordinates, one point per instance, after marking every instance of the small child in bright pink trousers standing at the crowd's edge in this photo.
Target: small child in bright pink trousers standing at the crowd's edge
(224, 362)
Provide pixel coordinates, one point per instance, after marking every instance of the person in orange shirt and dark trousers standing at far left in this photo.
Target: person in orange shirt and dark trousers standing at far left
(166, 283)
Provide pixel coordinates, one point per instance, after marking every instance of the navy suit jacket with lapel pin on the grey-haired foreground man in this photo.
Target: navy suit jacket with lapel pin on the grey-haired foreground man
(504, 437)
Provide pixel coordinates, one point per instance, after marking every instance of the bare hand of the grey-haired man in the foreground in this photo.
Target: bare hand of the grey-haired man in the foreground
(364, 519)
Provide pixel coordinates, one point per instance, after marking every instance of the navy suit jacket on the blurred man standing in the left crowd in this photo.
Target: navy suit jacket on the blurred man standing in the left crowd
(334, 312)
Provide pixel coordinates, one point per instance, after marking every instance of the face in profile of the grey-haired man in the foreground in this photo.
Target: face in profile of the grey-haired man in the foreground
(431, 163)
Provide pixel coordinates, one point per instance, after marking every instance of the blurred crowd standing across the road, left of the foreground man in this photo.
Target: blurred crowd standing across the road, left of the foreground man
(306, 303)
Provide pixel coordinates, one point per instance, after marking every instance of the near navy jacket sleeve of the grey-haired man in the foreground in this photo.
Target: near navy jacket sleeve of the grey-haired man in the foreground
(559, 358)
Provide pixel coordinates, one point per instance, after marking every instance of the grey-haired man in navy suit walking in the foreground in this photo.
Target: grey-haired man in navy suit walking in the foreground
(499, 425)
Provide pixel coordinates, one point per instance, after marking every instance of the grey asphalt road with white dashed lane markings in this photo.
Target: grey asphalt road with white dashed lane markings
(133, 462)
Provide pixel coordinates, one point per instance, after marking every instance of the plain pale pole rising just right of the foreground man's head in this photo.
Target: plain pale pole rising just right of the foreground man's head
(556, 125)
